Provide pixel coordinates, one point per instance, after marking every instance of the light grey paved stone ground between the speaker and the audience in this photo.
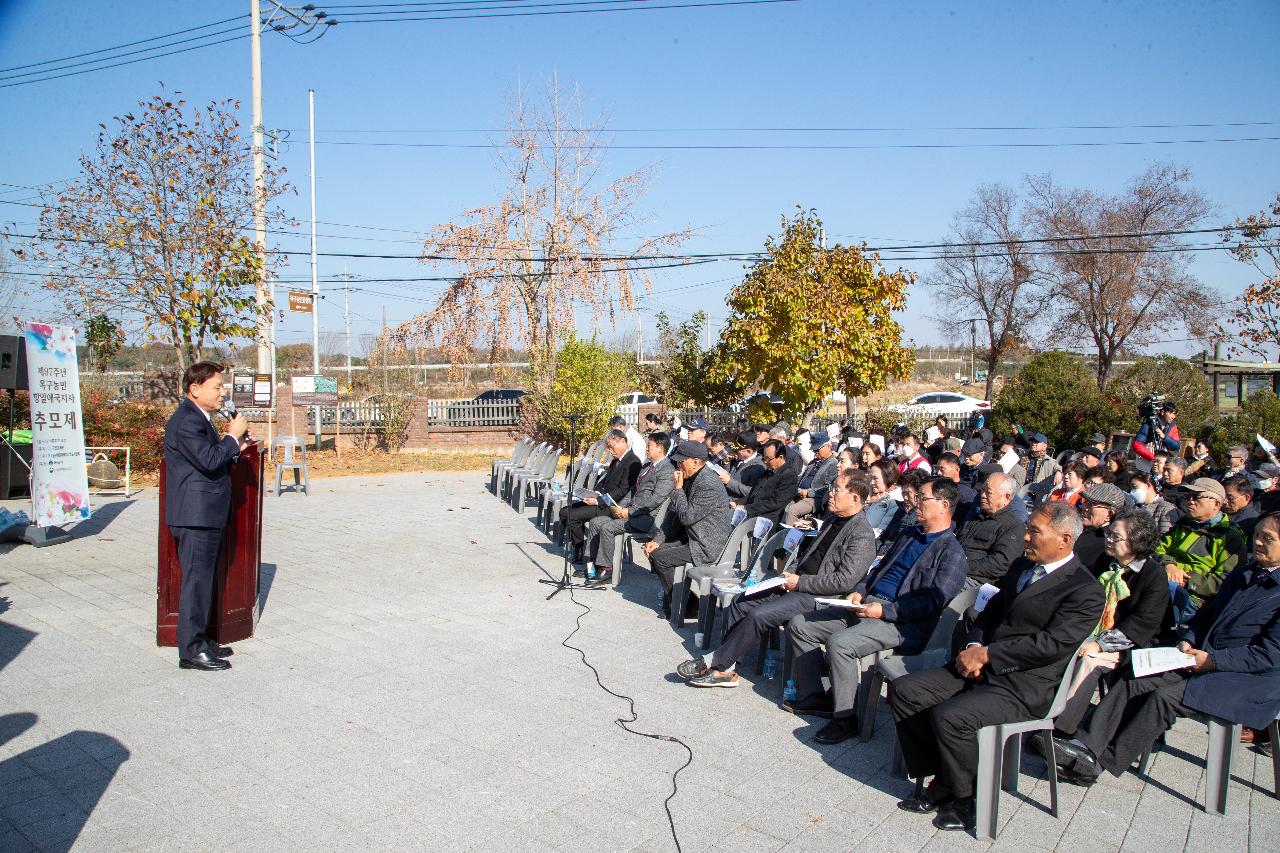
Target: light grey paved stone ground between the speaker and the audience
(408, 690)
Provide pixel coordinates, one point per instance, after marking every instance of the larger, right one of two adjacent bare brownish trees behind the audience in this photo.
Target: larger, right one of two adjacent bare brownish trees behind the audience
(1114, 267)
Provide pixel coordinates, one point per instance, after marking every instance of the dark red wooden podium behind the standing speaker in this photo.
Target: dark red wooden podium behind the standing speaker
(236, 585)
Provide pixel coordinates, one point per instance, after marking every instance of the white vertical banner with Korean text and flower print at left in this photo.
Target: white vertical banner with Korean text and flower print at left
(60, 481)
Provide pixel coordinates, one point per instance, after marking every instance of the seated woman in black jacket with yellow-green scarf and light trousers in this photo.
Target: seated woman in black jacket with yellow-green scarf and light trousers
(1139, 613)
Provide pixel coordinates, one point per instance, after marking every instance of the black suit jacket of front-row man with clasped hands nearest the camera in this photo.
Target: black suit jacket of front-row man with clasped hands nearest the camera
(1032, 636)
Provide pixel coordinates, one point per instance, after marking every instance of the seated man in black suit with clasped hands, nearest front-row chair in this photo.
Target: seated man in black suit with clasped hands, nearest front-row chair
(1011, 669)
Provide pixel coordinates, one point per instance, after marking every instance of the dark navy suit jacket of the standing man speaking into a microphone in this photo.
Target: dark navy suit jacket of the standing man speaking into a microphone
(198, 476)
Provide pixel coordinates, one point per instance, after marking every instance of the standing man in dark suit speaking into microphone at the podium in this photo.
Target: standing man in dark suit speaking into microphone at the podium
(198, 505)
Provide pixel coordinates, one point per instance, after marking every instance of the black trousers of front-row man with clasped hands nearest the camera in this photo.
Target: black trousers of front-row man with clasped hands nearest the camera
(939, 715)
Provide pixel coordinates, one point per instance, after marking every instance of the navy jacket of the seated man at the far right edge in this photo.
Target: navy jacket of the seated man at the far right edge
(1241, 630)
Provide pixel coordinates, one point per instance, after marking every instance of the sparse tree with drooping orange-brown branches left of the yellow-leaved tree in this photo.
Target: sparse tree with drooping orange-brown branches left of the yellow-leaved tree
(528, 264)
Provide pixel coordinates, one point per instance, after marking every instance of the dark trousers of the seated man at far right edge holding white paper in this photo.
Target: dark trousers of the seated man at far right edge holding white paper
(1131, 717)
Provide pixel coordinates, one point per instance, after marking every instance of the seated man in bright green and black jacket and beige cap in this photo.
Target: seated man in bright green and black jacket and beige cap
(1201, 549)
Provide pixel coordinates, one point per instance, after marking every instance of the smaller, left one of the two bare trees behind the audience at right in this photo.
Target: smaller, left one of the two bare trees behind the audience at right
(989, 276)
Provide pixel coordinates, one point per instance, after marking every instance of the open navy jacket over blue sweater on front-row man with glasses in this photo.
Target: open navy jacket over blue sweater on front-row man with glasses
(932, 581)
